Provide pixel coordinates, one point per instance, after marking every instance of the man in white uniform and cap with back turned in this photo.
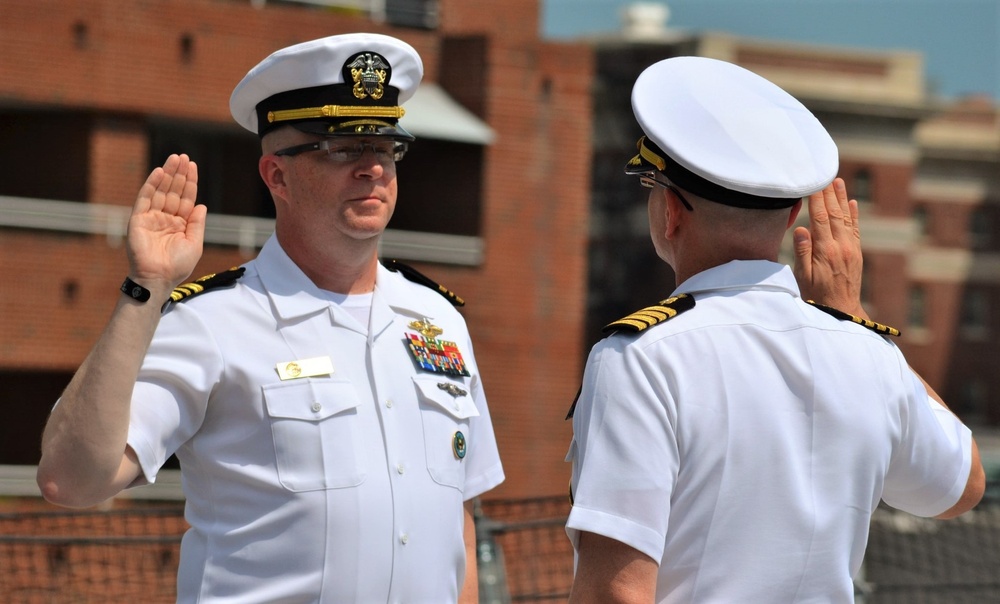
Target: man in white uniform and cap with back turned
(732, 441)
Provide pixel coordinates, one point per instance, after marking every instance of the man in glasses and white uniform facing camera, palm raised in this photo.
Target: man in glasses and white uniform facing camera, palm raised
(326, 409)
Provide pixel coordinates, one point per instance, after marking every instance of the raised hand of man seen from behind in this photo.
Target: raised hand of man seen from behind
(828, 257)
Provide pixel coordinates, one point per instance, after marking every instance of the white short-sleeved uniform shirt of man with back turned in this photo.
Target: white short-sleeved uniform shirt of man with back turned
(745, 443)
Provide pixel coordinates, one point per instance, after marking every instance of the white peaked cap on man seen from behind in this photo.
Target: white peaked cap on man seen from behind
(729, 135)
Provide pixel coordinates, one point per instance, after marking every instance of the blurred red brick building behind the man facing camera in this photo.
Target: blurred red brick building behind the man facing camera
(493, 198)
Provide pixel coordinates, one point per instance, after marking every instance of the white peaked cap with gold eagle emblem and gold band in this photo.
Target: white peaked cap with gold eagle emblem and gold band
(342, 85)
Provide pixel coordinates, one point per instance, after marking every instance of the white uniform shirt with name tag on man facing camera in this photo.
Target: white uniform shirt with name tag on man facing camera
(343, 486)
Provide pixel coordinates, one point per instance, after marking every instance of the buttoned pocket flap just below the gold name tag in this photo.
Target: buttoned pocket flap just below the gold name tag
(309, 400)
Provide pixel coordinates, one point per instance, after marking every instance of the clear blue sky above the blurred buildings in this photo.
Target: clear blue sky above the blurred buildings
(959, 39)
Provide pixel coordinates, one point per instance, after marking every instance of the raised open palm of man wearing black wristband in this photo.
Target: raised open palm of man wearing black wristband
(167, 228)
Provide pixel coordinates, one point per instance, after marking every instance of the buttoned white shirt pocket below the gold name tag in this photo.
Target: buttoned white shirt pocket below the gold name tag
(313, 426)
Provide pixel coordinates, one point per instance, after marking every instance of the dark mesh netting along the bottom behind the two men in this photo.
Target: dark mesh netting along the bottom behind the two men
(524, 554)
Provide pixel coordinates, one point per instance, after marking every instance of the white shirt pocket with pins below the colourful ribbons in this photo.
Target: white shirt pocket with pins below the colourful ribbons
(446, 406)
